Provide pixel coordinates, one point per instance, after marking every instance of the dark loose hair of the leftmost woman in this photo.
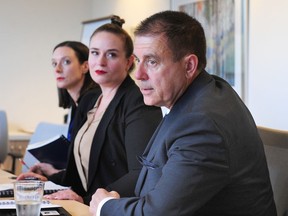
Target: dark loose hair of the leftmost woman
(82, 53)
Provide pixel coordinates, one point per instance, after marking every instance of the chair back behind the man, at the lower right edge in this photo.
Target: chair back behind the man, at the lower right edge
(276, 150)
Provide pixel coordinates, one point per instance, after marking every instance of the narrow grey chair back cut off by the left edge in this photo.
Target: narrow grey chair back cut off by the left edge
(3, 136)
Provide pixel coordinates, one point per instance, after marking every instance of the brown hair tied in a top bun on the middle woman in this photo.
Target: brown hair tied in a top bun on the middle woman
(115, 27)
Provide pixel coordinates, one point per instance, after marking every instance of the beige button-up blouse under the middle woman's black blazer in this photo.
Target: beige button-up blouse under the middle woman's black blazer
(83, 142)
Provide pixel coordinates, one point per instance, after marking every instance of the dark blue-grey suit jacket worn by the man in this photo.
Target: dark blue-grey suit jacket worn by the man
(206, 158)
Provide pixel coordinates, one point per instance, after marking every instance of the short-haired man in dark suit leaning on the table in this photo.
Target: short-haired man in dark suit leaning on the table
(206, 157)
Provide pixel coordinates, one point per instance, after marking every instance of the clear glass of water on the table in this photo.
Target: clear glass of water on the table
(28, 197)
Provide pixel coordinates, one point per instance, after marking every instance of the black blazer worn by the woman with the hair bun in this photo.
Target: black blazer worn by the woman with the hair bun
(122, 135)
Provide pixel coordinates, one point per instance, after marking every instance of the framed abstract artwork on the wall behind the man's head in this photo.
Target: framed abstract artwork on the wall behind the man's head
(225, 23)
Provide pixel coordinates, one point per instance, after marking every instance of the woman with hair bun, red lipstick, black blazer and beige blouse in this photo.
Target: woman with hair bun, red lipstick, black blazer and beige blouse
(117, 125)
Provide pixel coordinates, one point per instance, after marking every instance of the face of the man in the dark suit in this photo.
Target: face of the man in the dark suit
(161, 80)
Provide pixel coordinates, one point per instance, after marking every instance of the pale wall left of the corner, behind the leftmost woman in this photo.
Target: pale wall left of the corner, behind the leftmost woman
(29, 30)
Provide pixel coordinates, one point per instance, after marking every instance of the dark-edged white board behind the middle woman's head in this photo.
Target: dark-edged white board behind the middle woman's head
(90, 26)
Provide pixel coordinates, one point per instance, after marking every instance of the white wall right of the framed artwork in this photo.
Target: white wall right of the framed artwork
(268, 63)
